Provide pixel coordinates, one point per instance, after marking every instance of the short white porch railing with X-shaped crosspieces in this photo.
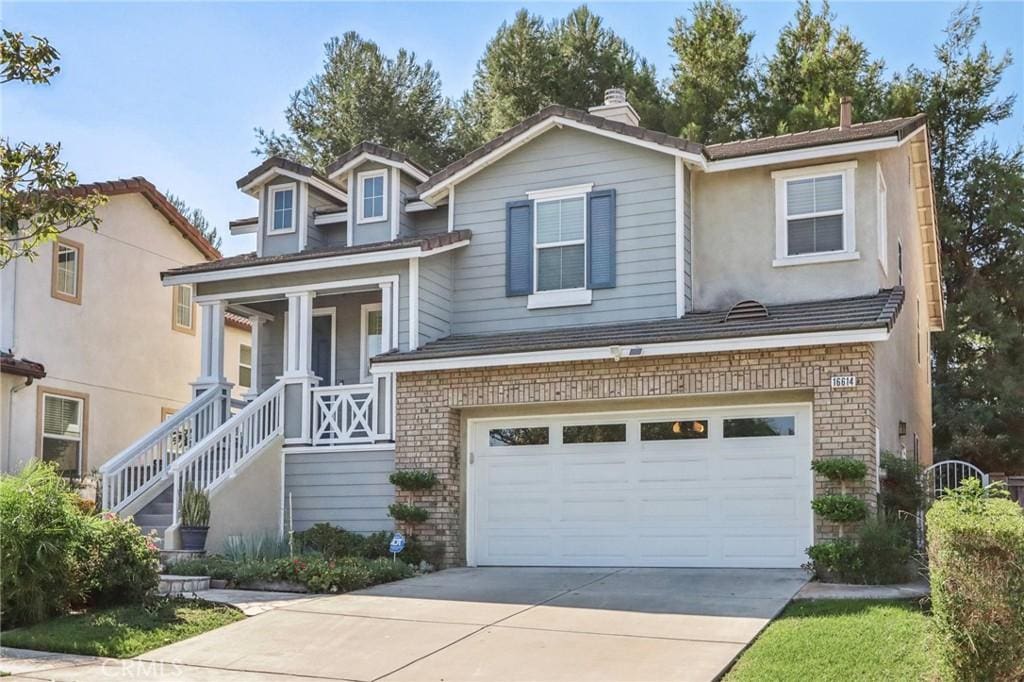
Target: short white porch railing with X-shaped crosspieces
(353, 414)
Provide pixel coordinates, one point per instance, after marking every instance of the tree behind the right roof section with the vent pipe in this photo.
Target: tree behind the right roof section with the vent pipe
(816, 64)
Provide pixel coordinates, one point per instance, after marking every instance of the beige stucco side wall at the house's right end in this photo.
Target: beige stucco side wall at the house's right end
(904, 385)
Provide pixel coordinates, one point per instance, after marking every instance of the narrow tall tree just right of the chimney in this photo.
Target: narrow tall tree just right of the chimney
(712, 79)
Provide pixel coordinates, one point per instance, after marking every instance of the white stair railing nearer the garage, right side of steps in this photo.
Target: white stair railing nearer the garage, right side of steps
(232, 445)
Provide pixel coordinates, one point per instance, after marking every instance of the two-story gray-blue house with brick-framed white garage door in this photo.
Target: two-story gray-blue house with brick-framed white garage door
(612, 346)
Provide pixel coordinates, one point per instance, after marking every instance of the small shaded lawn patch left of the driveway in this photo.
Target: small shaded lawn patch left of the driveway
(124, 631)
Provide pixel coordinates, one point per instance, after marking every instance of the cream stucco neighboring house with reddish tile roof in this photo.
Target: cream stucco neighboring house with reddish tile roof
(96, 353)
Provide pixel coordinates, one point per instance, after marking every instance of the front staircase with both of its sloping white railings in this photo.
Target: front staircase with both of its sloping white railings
(197, 447)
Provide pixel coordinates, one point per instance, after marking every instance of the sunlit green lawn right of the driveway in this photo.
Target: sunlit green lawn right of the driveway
(841, 641)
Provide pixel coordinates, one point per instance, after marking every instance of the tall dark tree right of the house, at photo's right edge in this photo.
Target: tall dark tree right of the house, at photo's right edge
(979, 359)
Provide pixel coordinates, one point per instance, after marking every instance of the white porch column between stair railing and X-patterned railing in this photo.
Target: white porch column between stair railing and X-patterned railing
(300, 378)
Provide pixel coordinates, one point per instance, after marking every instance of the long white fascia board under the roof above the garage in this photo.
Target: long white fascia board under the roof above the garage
(647, 351)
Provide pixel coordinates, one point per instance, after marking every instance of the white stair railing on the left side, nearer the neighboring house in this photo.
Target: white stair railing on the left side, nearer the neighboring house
(146, 463)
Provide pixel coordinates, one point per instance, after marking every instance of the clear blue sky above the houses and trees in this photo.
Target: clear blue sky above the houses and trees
(173, 92)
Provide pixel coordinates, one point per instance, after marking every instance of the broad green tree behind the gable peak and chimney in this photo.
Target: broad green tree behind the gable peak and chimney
(529, 65)
